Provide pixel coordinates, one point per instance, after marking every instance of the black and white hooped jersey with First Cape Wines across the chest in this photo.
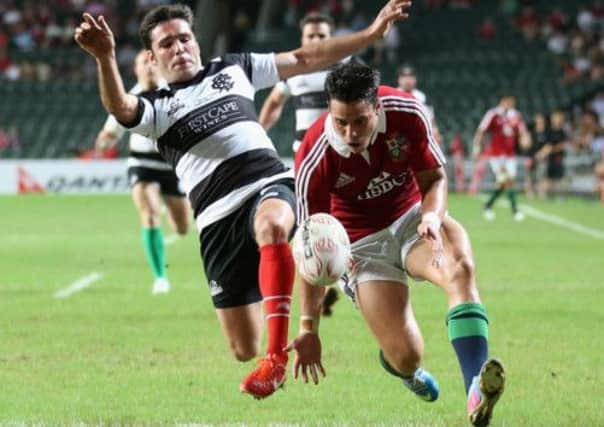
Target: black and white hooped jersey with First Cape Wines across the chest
(207, 129)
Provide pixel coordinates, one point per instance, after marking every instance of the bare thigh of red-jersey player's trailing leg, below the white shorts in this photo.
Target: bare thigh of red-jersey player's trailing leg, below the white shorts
(387, 310)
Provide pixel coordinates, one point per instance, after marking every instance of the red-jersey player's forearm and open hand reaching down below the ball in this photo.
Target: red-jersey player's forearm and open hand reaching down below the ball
(307, 344)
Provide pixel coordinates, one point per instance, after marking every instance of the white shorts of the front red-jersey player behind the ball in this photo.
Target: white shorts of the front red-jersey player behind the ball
(381, 255)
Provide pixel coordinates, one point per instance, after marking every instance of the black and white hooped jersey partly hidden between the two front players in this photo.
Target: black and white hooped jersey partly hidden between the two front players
(308, 95)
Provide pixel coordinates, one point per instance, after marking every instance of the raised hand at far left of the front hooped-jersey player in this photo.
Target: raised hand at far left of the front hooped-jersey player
(95, 36)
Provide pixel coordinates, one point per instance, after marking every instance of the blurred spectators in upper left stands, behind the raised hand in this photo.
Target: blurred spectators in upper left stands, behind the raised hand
(36, 36)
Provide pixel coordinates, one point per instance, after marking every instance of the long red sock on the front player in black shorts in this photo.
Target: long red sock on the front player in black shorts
(276, 277)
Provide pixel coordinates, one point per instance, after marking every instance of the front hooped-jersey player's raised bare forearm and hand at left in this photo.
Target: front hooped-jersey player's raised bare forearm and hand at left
(96, 38)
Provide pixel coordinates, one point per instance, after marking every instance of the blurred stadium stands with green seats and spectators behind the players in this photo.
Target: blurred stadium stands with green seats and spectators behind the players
(549, 54)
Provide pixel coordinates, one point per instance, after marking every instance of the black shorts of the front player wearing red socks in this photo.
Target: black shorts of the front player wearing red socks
(230, 253)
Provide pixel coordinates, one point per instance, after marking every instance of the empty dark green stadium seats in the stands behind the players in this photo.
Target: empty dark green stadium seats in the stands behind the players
(462, 75)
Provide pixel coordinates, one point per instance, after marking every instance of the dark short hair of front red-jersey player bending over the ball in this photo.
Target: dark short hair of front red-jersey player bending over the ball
(352, 82)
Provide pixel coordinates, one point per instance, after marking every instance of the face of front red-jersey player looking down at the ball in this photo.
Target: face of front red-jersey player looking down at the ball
(355, 122)
